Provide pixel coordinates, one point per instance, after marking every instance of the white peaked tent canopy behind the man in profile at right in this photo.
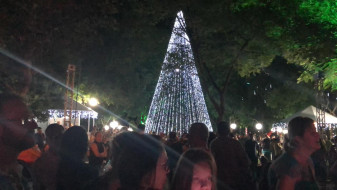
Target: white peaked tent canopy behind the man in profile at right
(312, 113)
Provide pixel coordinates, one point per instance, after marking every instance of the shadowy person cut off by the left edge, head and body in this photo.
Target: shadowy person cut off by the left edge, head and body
(16, 135)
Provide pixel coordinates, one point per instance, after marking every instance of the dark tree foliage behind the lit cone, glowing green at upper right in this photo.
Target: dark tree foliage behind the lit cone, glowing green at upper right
(118, 47)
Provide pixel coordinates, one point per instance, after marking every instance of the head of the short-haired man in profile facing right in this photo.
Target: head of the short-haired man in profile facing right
(302, 135)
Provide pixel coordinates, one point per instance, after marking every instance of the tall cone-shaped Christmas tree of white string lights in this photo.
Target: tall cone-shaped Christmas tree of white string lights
(178, 100)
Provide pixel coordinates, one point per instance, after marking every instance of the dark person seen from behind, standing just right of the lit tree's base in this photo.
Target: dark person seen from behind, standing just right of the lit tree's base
(231, 160)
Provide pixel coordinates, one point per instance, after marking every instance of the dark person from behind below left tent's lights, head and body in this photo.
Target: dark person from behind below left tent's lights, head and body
(73, 173)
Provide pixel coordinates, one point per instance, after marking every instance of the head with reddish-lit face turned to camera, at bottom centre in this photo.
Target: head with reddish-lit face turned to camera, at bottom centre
(195, 170)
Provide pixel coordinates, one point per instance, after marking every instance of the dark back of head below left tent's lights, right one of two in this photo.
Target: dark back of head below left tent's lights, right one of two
(74, 143)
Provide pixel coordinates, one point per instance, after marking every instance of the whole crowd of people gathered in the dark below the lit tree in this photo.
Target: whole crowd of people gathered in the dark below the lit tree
(195, 160)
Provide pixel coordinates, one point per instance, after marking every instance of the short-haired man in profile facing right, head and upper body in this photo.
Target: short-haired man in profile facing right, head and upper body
(294, 169)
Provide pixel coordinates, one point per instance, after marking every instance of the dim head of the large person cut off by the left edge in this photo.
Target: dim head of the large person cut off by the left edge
(16, 132)
